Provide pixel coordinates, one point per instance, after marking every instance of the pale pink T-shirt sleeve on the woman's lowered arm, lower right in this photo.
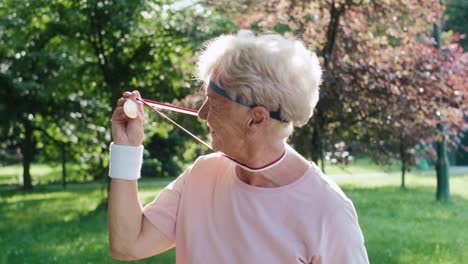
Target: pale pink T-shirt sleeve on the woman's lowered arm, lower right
(343, 240)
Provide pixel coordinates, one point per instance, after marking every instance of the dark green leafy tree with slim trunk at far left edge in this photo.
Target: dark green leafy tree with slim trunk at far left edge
(28, 65)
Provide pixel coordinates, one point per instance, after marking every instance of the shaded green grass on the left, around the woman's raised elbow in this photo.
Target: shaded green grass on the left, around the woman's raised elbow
(59, 226)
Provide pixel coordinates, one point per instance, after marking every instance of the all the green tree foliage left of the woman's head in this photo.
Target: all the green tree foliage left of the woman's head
(63, 64)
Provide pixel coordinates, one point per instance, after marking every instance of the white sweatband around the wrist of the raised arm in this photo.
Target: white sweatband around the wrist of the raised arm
(125, 161)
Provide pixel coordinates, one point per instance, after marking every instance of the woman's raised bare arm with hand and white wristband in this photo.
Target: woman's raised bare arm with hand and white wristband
(131, 235)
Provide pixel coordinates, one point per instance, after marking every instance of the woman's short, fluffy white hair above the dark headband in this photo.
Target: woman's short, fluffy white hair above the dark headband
(269, 70)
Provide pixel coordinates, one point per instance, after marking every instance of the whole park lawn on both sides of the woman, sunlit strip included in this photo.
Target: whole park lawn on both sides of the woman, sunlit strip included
(51, 225)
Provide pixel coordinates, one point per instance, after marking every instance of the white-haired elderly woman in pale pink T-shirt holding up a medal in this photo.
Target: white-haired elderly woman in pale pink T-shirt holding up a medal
(255, 200)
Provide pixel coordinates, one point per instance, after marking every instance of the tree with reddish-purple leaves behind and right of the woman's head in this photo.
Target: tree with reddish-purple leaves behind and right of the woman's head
(382, 91)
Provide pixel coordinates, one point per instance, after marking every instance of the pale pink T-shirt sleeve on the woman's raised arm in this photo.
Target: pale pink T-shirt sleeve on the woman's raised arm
(162, 211)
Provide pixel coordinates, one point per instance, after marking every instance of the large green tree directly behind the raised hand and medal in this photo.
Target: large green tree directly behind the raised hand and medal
(149, 46)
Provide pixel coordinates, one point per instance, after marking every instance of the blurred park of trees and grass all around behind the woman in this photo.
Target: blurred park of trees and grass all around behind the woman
(390, 127)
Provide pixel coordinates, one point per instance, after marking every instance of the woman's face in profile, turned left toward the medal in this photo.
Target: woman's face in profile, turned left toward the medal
(226, 121)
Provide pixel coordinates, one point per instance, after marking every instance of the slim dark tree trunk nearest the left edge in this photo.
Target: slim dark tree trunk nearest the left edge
(28, 147)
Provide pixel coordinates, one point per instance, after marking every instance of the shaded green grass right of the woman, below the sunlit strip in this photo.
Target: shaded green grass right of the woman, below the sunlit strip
(409, 226)
